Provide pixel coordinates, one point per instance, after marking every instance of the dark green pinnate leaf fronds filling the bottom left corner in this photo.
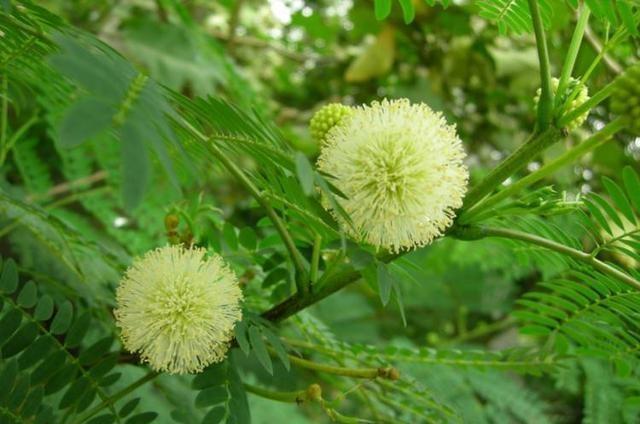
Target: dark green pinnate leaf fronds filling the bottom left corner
(54, 362)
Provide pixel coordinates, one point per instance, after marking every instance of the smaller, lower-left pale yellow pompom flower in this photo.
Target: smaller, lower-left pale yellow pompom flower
(177, 309)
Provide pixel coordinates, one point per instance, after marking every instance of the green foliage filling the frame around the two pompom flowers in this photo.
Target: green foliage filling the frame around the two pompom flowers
(206, 122)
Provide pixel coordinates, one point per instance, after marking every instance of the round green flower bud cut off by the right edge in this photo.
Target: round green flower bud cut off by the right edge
(625, 100)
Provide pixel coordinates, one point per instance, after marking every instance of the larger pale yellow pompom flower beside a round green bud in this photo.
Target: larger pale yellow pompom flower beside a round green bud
(401, 169)
